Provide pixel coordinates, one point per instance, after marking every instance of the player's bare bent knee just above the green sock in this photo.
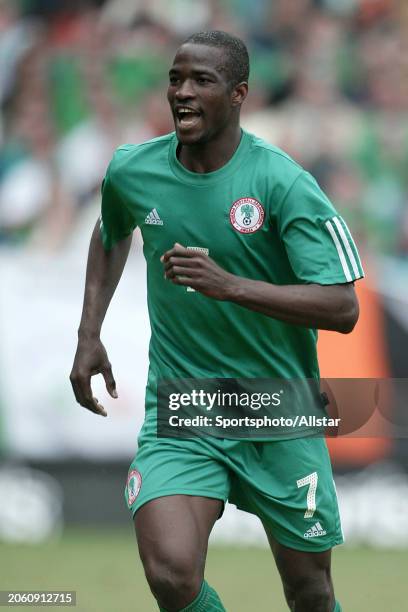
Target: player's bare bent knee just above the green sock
(172, 576)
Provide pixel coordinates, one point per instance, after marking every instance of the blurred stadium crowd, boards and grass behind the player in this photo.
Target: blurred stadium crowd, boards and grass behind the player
(329, 84)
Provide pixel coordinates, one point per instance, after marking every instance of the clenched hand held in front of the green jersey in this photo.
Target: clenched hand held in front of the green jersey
(196, 270)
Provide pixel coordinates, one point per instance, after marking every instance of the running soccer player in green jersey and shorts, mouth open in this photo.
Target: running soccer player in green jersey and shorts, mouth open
(246, 258)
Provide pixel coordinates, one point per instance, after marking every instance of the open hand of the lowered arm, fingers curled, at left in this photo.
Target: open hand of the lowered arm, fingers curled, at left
(90, 359)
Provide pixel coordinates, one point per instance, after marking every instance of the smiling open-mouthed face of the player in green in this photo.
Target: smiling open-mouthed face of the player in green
(200, 99)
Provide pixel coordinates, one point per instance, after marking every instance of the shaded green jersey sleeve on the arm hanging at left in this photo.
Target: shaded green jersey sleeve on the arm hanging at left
(116, 222)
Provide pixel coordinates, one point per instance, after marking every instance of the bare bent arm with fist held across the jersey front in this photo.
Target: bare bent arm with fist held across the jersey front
(333, 307)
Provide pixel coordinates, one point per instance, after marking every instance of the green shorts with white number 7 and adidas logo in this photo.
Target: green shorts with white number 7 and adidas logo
(288, 484)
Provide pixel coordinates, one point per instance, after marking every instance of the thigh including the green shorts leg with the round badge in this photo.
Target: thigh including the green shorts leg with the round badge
(175, 491)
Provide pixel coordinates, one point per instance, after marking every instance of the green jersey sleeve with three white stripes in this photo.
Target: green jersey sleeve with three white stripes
(317, 240)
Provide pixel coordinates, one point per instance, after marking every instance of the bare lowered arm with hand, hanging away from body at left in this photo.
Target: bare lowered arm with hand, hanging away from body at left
(104, 269)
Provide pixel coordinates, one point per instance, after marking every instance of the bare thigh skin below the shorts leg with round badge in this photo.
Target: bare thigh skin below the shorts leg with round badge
(172, 533)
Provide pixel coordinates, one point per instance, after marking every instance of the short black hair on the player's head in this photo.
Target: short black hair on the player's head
(236, 56)
